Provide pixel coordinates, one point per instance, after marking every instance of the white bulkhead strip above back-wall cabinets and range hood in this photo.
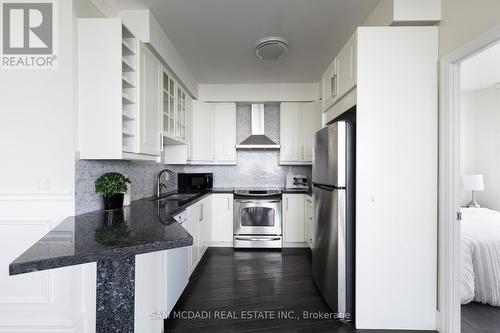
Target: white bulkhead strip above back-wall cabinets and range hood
(281, 92)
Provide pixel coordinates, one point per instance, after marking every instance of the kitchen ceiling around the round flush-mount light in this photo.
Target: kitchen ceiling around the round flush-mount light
(216, 38)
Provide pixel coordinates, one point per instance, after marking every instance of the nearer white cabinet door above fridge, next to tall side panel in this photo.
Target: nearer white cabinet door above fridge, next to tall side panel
(347, 67)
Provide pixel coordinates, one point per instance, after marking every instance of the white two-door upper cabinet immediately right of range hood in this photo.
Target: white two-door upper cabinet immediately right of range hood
(298, 124)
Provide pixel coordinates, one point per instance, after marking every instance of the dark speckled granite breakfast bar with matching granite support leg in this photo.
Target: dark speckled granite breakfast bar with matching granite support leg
(112, 239)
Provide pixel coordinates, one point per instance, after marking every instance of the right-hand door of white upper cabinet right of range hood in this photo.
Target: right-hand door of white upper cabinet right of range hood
(310, 123)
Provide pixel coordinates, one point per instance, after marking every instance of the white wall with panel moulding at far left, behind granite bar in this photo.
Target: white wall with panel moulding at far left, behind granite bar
(37, 185)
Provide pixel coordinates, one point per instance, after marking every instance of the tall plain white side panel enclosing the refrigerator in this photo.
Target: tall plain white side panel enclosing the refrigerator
(396, 193)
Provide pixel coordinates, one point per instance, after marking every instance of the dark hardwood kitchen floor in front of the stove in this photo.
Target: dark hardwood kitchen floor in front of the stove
(235, 283)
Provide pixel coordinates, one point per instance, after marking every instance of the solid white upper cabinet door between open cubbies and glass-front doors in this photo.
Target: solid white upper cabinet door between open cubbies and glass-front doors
(150, 130)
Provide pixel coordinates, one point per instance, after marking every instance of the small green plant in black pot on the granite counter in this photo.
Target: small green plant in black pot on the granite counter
(112, 185)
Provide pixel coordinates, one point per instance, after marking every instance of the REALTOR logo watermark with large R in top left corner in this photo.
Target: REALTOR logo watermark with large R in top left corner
(28, 34)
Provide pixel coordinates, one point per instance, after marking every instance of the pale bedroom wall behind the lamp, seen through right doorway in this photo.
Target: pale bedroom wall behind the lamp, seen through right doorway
(480, 143)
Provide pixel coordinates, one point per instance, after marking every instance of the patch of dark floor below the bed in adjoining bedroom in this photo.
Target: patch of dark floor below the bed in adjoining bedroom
(477, 317)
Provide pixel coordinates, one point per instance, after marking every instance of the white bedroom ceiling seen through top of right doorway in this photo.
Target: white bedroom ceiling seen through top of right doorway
(483, 70)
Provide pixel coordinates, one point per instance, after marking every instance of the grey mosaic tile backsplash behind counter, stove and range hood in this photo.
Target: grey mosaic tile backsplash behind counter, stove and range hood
(256, 168)
